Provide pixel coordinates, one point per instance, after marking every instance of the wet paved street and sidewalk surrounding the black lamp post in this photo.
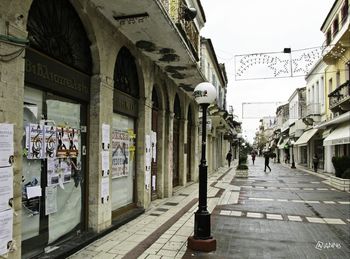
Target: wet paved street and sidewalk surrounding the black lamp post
(286, 213)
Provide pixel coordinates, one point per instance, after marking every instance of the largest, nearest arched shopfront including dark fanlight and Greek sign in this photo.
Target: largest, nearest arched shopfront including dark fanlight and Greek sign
(57, 88)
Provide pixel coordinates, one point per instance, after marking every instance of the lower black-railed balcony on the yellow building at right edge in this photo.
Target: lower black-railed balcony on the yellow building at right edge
(339, 99)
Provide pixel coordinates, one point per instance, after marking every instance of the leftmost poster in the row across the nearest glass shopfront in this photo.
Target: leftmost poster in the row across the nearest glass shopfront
(36, 141)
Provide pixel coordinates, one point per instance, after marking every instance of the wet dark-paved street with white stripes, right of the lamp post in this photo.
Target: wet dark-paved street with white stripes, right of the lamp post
(287, 213)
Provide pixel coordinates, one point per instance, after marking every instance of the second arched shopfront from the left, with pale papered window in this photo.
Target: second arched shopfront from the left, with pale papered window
(125, 112)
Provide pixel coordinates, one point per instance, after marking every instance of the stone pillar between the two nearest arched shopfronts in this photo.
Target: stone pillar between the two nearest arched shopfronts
(100, 112)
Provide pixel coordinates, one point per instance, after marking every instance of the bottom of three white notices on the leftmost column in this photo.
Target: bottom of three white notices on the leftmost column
(6, 223)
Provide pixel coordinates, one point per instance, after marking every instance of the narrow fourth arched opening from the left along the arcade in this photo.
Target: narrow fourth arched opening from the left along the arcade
(176, 141)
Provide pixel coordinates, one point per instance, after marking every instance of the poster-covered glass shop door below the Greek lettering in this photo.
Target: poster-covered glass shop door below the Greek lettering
(58, 209)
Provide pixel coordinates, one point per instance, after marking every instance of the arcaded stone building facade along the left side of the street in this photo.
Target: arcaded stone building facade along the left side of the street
(99, 111)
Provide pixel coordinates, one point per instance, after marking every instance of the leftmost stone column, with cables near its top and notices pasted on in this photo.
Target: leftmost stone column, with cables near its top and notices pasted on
(11, 111)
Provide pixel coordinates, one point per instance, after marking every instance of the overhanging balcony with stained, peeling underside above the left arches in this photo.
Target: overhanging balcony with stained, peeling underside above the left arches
(142, 23)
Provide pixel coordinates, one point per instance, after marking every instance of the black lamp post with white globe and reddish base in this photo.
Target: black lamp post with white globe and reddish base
(205, 94)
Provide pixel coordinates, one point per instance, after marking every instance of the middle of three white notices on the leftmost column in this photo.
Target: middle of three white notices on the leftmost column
(6, 188)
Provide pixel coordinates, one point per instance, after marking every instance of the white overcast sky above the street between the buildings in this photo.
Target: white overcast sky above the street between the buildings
(239, 27)
